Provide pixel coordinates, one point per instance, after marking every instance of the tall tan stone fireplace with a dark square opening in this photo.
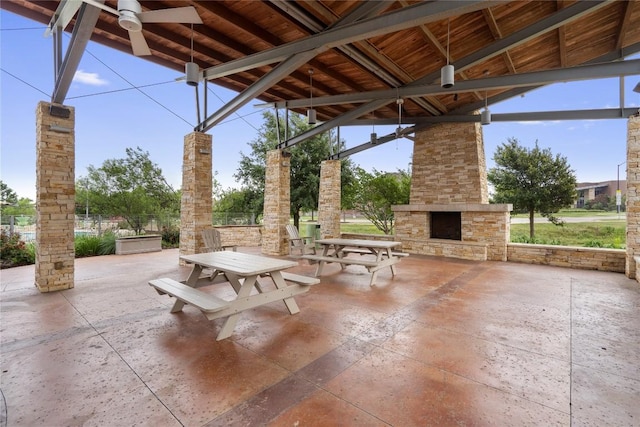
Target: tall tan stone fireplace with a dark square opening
(449, 213)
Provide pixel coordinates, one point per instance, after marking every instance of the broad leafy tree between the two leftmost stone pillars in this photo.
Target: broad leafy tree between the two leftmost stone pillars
(133, 188)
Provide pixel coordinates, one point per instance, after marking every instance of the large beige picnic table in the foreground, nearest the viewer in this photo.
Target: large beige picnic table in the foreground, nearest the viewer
(242, 271)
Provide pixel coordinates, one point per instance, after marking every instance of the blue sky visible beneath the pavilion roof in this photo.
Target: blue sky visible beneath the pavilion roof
(111, 116)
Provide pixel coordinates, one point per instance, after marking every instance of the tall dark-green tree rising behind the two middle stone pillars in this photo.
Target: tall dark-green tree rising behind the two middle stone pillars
(305, 163)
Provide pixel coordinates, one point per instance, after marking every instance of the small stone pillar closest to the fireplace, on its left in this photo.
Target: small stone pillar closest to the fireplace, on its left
(329, 199)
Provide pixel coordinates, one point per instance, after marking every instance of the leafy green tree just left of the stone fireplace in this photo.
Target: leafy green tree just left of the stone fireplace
(376, 192)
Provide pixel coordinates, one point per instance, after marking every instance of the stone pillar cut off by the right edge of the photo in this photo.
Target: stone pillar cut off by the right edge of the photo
(633, 195)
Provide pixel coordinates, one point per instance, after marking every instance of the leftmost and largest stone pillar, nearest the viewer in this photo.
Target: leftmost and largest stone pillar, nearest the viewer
(55, 197)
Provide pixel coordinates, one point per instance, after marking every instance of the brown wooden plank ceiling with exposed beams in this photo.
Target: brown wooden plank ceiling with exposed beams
(356, 47)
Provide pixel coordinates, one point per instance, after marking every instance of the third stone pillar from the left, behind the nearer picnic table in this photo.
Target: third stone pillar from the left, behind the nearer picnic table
(277, 203)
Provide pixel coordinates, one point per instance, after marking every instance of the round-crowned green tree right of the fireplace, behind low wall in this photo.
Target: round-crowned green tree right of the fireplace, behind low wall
(532, 180)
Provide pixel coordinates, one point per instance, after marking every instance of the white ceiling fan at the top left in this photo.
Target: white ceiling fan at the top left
(130, 17)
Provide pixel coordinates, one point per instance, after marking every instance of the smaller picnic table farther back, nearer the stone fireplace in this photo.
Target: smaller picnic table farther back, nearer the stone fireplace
(337, 250)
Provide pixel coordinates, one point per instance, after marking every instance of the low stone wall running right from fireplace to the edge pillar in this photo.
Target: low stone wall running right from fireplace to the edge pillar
(568, 256)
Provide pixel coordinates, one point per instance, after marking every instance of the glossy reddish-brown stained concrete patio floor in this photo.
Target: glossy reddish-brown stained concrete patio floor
(444, 342)
